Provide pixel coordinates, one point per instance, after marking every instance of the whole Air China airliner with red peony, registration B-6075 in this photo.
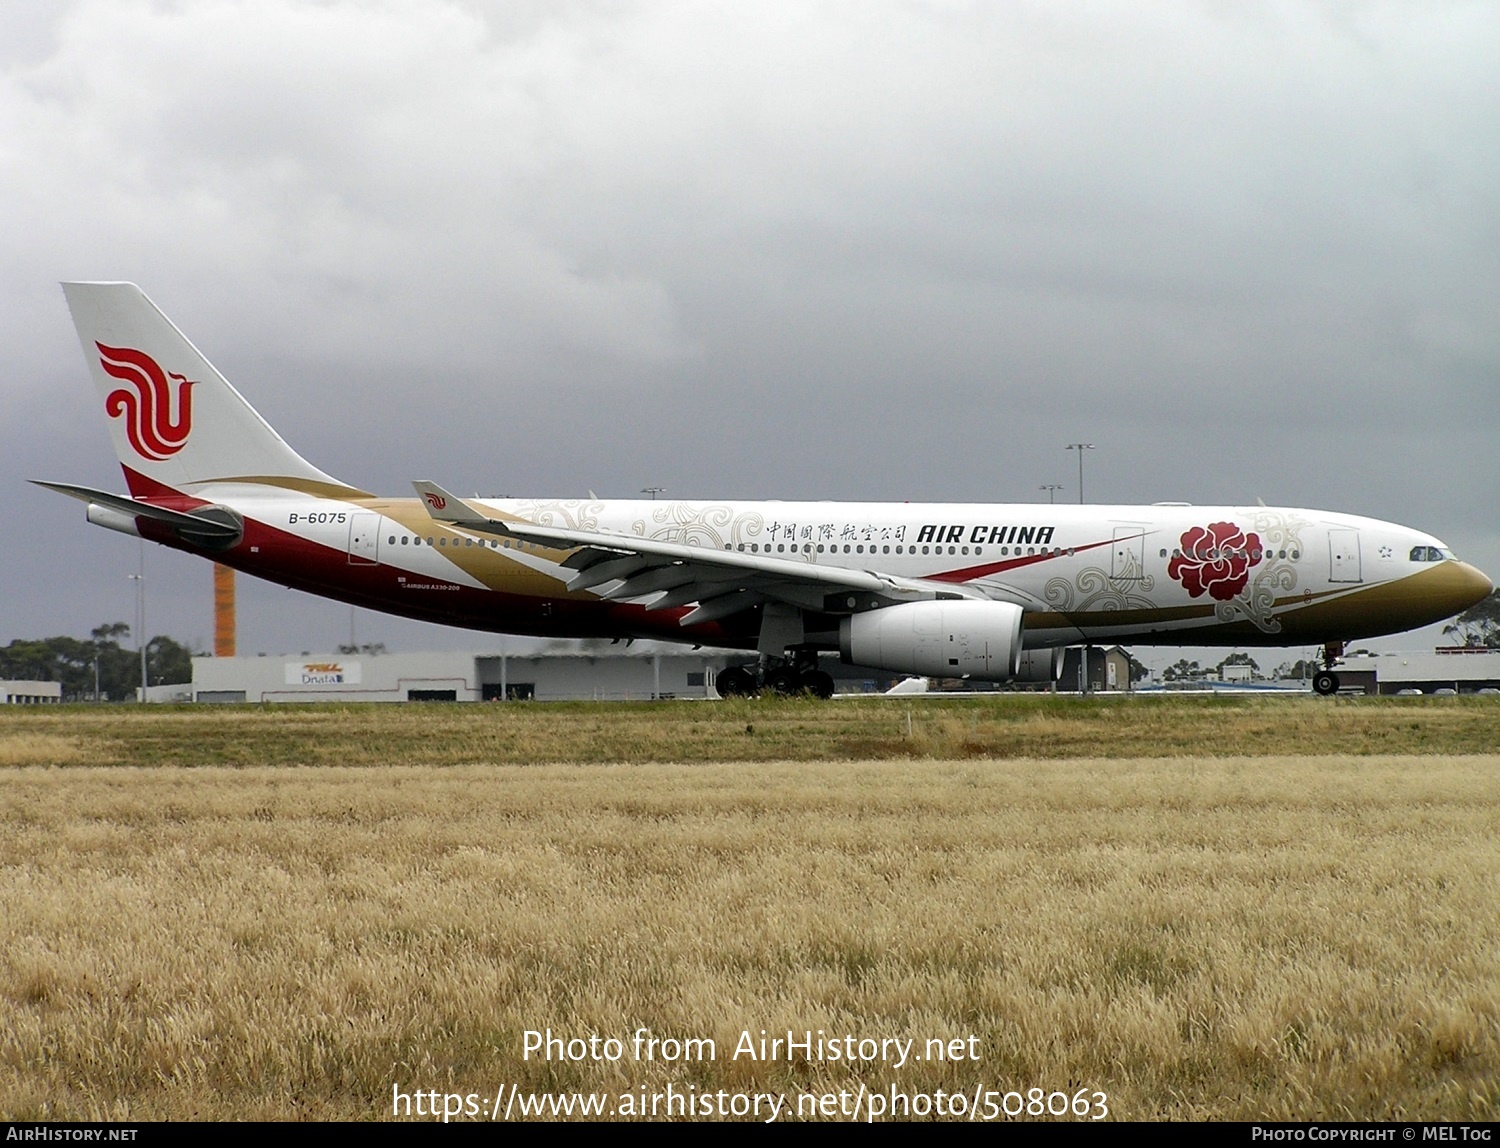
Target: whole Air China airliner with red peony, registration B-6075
(956, 591)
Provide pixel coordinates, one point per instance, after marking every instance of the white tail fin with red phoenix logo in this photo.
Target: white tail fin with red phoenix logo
(175, 419)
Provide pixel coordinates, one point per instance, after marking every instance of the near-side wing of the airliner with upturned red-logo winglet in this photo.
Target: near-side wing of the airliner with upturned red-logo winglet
(721, 583)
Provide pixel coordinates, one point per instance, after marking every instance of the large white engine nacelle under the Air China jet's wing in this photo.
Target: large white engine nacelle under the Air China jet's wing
(941, 640)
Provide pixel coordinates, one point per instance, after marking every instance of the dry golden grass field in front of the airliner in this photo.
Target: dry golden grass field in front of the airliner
(1250, 909)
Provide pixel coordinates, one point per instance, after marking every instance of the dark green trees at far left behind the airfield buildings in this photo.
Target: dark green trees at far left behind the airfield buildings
(98, 667)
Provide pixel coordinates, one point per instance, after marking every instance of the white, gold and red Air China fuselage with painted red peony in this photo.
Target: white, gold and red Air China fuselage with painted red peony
(1144, 574)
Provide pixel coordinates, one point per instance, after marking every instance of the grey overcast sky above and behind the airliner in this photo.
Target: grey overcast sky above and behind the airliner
(760, 251)
